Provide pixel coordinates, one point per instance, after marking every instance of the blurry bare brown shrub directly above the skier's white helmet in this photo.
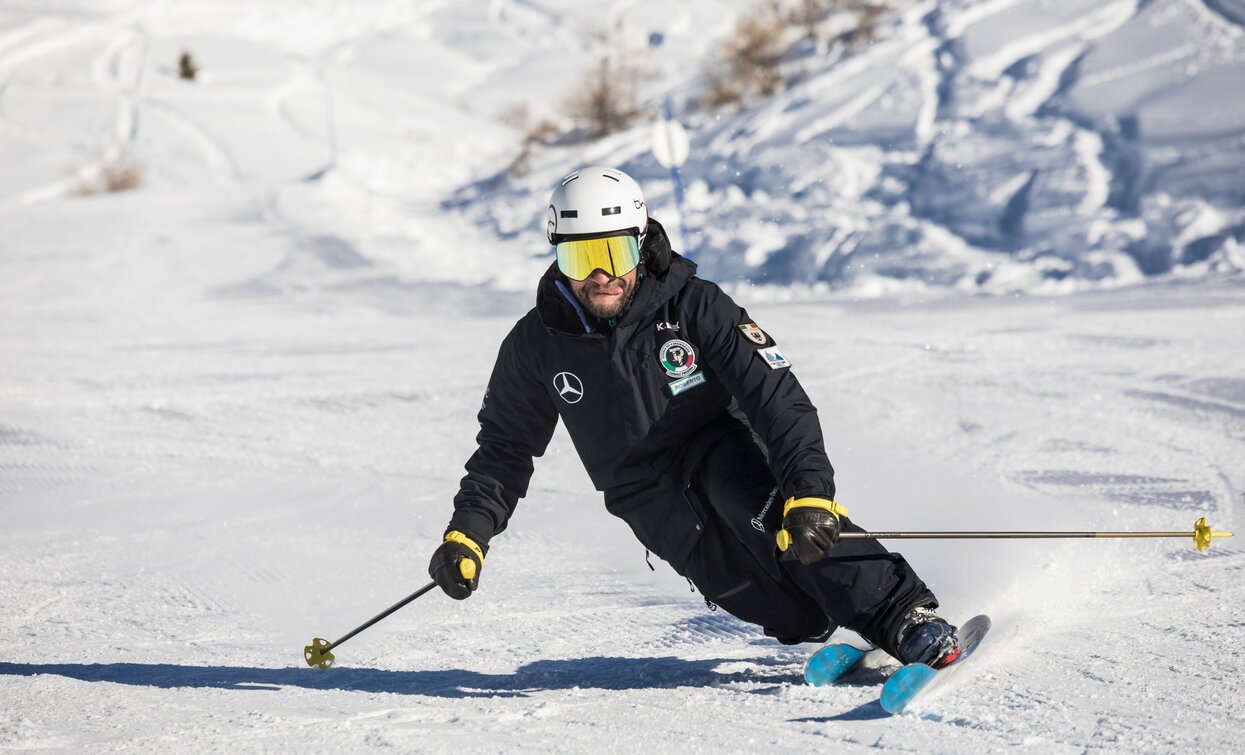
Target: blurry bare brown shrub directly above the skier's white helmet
(607, 100)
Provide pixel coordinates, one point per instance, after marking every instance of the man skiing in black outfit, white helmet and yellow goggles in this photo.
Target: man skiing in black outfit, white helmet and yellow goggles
(689, 418)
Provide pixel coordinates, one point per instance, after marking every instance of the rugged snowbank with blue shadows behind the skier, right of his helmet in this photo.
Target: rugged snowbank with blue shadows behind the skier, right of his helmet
(980, 146)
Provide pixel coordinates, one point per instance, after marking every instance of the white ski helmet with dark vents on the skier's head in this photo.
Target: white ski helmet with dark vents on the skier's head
(596, 201)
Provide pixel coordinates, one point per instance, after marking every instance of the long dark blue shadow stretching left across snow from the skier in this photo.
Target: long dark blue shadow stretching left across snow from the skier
(592, 673)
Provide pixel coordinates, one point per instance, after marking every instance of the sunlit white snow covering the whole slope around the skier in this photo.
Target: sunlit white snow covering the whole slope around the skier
(235, 404)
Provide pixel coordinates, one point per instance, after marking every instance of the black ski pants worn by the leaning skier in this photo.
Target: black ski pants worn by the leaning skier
(728, 549)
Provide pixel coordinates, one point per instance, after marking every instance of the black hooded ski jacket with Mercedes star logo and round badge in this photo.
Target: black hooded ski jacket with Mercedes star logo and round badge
(643, 399)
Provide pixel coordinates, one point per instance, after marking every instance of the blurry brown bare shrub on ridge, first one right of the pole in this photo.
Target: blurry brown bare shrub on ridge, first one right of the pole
(749, 60)
